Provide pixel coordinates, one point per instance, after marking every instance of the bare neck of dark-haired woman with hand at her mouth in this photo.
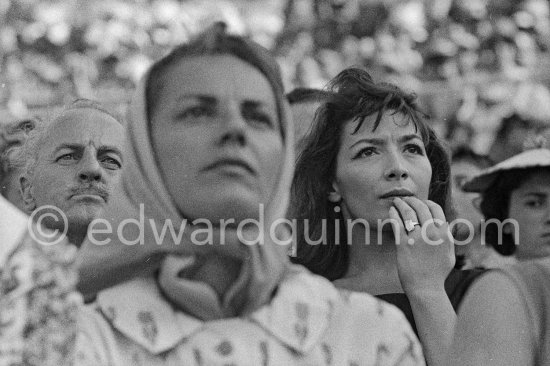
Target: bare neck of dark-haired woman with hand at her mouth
(372, 266)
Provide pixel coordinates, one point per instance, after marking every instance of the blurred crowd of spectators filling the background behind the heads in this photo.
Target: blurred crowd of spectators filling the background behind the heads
(481, 68)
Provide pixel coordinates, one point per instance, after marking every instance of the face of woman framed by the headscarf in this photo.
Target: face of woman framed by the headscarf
(217, 138)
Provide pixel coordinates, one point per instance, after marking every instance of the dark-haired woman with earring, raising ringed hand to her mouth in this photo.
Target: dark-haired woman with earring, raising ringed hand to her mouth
(371, 192)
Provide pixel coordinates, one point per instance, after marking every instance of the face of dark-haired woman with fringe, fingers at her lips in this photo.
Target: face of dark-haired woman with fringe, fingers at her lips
(374, 167)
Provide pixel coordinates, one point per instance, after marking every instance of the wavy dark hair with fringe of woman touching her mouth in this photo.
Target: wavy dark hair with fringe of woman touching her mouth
(355, 96)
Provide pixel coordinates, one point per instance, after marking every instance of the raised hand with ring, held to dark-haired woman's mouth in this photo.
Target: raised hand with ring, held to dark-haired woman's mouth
(425, 249)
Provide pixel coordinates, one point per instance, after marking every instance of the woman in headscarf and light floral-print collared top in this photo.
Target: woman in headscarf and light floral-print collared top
(209, 140)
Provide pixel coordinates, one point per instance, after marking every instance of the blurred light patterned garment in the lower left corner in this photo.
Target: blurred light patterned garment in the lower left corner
(38, 303)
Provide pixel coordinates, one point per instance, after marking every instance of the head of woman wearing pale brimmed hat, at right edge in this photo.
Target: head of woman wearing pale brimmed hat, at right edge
(514, 194)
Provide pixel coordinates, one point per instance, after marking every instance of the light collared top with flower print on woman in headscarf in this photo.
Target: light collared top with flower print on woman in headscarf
(308, 322)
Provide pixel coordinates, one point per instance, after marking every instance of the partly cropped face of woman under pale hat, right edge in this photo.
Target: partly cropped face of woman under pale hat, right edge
(530, 208)
